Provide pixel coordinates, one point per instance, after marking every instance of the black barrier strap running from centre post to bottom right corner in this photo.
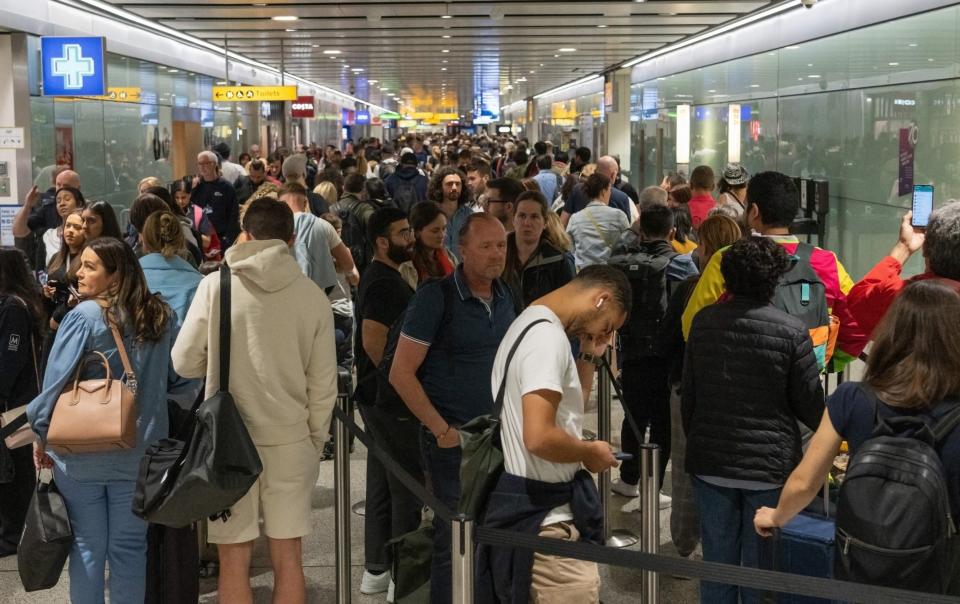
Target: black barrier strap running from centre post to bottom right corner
(765, 580)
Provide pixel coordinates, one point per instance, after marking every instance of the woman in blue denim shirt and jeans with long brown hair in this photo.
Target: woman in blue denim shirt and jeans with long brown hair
(98, 487)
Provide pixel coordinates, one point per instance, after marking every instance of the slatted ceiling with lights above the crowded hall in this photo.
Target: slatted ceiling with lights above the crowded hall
(428, 50)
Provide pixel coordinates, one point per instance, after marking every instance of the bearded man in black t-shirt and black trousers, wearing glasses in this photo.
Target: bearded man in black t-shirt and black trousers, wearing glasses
(382, 297)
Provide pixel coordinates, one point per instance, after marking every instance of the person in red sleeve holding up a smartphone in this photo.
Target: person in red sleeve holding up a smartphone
(870, 298)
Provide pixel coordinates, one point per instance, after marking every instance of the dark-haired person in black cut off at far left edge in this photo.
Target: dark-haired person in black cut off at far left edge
(21, 328)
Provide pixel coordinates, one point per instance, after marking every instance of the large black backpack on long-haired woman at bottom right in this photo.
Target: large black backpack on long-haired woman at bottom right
(894, 526)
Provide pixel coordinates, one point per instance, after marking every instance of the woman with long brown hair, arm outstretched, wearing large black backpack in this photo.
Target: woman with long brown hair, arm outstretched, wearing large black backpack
(913, 370)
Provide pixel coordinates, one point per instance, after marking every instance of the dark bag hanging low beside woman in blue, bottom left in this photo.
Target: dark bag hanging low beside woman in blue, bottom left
(46, 540)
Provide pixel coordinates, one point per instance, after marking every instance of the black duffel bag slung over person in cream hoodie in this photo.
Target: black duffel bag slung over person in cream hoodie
(185, 480)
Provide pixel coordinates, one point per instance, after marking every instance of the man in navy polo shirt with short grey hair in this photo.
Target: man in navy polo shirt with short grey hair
(442, 365)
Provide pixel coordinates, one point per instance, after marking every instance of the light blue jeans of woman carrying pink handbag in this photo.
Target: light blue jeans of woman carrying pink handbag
(104, 529)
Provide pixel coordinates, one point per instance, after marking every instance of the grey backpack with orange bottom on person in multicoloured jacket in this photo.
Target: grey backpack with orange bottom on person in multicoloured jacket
(802, 294)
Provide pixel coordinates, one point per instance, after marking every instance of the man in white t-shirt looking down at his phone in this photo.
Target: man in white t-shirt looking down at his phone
(543, 490)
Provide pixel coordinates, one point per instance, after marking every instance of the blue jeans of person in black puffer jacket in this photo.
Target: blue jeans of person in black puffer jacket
(728, 536)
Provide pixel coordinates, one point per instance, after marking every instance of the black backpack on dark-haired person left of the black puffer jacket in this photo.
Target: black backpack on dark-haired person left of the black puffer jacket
(647, 274)
